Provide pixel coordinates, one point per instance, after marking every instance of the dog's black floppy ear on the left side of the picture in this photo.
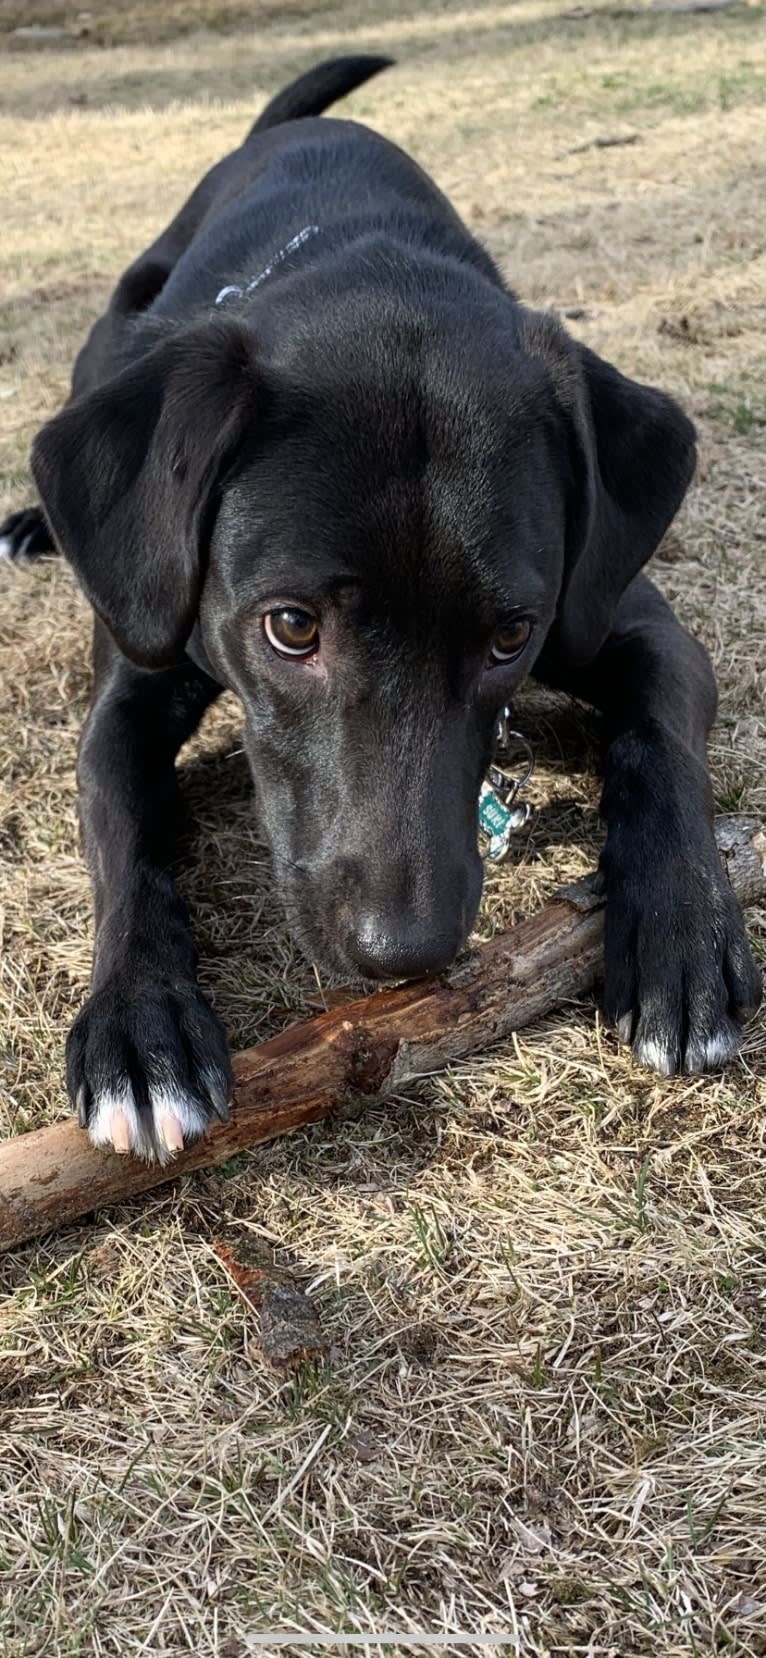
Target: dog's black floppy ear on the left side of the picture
(128, 478)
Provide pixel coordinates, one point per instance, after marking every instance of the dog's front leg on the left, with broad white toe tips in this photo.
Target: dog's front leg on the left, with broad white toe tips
(147, 1060)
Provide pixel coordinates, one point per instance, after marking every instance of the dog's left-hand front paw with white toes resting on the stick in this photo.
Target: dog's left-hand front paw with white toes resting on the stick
(148, 1067)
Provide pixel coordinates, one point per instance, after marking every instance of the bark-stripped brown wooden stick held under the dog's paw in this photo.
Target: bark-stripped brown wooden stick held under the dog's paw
(369, 1047)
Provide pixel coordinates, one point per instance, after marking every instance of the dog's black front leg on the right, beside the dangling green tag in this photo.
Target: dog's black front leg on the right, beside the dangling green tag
(677, 967)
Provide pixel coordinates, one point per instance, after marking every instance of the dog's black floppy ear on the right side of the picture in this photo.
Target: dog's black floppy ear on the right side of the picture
(633, 462)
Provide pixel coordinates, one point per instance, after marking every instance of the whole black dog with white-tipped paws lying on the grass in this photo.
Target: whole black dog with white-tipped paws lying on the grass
(321, 455)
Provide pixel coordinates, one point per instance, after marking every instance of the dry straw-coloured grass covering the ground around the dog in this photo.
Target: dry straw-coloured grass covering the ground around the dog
(543, 1276)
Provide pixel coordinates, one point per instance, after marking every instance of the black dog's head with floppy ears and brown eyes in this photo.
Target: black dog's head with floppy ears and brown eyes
(376, 540)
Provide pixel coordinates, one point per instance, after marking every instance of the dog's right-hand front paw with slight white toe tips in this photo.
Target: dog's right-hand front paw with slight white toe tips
(679, 976)
